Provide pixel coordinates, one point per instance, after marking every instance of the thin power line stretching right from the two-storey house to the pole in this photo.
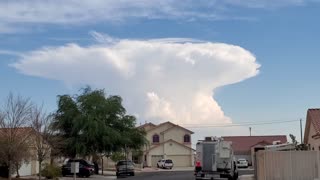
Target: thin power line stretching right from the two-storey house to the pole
(235, 125)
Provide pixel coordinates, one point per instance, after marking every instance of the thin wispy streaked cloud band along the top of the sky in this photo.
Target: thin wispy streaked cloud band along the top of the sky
(14, 13)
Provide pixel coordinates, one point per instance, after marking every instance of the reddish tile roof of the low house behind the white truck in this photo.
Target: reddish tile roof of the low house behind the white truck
(243, 144)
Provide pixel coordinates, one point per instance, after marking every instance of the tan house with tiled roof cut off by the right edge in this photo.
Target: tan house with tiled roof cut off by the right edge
(312, 129)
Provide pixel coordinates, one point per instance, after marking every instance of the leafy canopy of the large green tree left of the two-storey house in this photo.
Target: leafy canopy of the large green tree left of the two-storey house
(92, 123)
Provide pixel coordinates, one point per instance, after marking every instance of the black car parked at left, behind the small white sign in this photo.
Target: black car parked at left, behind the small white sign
(86, 169)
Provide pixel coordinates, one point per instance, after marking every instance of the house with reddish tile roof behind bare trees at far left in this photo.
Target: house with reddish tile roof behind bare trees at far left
(28, 135)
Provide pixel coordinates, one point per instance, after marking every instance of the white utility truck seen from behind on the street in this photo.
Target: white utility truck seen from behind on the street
(215, 160)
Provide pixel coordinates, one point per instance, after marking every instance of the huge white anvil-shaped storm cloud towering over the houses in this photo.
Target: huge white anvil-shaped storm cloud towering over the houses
(160, 80)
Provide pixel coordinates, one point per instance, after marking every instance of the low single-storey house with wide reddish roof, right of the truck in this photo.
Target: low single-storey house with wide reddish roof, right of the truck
(246, 146)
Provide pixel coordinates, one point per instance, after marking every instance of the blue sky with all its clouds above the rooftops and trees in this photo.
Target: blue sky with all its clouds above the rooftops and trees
(201, 64)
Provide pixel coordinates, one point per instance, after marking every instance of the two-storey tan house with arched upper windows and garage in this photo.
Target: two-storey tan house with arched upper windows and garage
(168, 140)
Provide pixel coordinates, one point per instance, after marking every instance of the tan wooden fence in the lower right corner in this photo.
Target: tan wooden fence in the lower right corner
(287, 165)
